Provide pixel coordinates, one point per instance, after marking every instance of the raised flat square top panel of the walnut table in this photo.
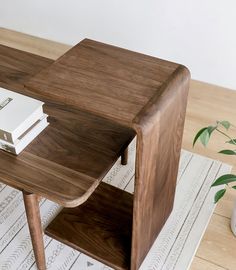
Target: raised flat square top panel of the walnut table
(108, 81)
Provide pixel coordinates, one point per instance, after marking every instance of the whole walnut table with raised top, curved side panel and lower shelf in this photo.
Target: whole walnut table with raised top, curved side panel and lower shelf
(99, 97)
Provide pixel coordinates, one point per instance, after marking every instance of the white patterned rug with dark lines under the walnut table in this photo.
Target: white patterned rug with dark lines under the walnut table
(174, 248)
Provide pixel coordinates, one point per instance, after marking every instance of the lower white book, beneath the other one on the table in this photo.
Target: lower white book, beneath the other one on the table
(26, 138)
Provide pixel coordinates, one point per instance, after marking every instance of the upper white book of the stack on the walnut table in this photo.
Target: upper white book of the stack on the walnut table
(17, 114)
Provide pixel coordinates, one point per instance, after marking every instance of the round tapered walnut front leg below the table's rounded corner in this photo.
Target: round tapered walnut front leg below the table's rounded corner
(35, 228)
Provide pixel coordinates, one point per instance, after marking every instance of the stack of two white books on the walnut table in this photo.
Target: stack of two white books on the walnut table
(21, 120)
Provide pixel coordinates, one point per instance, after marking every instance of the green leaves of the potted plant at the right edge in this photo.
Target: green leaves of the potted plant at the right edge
(204, 136)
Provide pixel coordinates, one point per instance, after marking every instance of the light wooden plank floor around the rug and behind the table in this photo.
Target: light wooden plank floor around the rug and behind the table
(206, 104)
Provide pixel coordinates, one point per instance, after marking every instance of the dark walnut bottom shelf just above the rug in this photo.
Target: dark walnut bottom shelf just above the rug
(100, 228)
